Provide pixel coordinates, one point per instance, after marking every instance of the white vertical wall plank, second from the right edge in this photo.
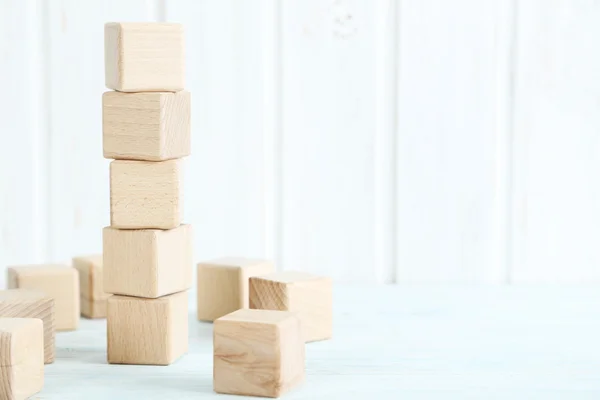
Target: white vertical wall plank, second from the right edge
(447, 141)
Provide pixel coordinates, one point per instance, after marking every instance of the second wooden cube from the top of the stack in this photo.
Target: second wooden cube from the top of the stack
(152, 126)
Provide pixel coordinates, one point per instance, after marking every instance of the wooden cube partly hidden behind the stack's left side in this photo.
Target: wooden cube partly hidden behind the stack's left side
(91, 286)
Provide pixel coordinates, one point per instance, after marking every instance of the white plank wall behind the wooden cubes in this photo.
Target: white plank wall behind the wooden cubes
(374, 141)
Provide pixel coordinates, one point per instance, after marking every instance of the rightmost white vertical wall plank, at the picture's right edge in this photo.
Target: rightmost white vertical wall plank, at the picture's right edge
(557, 145)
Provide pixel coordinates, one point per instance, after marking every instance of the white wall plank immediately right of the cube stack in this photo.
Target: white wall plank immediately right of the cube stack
(225, 182)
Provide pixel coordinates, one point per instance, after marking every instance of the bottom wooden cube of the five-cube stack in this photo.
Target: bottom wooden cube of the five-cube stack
(147, 331)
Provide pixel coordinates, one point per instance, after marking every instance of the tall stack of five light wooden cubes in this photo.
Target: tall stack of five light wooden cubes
(147, 249)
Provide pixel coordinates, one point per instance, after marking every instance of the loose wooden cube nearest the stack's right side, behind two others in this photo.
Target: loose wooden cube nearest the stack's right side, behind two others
(223, 285)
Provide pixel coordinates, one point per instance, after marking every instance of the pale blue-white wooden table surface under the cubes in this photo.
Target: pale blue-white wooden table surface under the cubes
(390, 342)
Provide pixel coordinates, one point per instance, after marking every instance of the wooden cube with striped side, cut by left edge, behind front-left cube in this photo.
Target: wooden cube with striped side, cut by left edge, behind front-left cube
(25, 303)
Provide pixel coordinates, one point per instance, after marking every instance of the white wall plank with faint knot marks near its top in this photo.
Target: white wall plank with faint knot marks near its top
(329, 118)
